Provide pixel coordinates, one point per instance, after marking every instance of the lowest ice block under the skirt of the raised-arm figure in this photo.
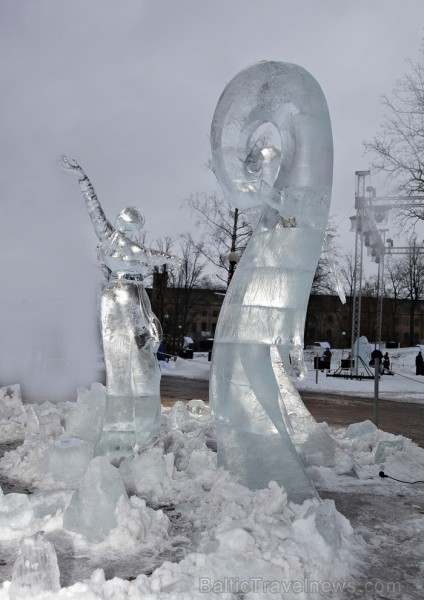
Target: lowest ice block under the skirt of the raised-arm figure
(130, 423)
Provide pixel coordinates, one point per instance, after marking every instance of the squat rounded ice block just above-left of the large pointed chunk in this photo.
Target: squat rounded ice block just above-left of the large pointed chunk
(67, 458)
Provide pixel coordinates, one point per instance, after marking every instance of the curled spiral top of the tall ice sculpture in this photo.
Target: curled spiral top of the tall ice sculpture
(290, 99)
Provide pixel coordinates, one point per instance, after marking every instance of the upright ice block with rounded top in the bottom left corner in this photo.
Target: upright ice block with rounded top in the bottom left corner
(35, 570)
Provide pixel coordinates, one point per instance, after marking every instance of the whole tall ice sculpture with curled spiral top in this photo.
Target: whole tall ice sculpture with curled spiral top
(261, 420)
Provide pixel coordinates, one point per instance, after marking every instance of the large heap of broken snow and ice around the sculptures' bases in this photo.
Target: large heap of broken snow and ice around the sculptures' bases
(219, 536)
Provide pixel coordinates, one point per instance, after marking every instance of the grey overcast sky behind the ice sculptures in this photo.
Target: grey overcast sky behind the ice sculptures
(129, 89)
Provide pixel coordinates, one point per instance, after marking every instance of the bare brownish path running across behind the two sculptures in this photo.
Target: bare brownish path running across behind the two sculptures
(404, 418)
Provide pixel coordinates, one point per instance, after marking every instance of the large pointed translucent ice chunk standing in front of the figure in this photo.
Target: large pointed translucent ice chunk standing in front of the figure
(92, 510)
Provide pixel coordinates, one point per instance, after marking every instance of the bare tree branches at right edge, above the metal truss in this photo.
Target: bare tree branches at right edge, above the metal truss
(398, 150)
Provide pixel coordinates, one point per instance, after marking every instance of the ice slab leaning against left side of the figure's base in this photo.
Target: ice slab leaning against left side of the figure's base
(85, 421)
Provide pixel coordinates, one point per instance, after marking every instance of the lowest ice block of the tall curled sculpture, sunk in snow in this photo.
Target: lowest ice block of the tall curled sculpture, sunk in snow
(256, 459)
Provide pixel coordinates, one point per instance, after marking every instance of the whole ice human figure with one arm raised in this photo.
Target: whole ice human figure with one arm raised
(131, 333)
